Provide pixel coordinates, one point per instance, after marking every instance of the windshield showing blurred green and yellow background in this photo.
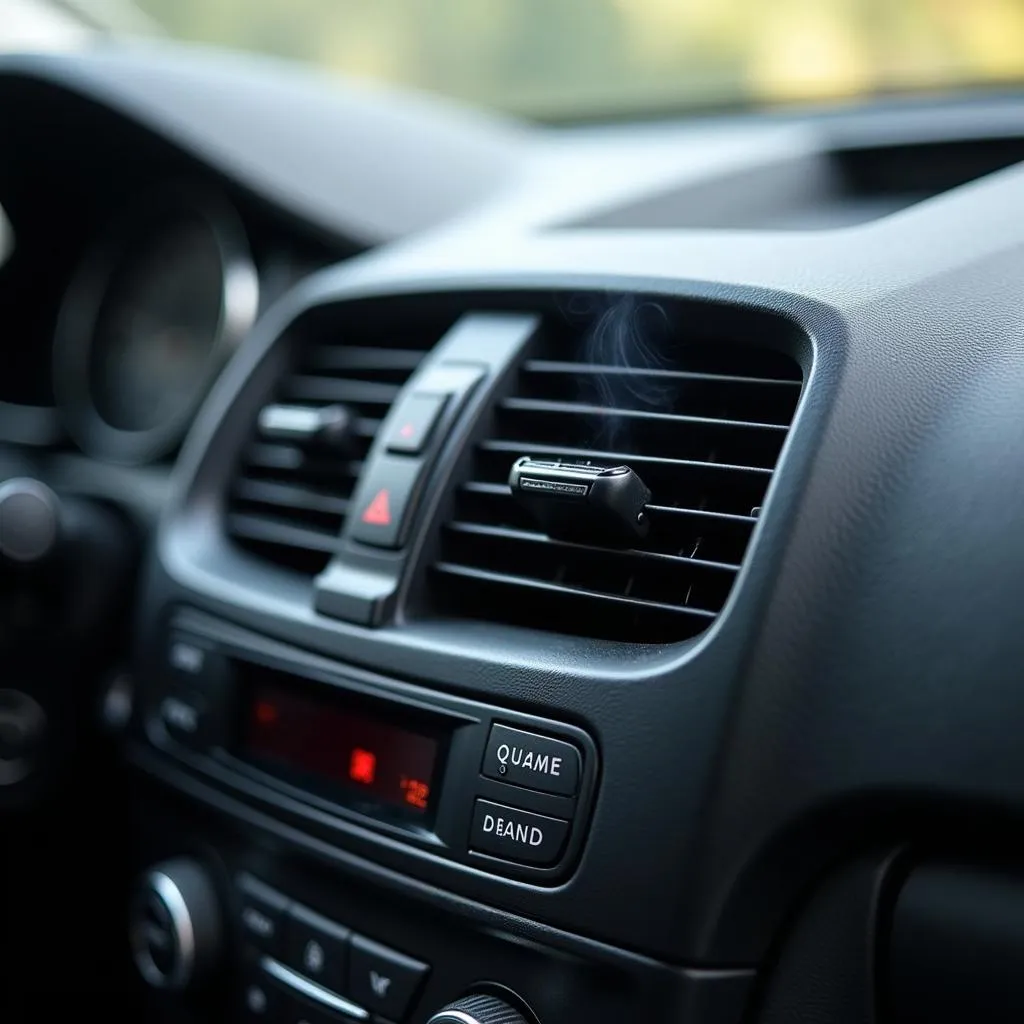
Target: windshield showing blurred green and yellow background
(581, 59)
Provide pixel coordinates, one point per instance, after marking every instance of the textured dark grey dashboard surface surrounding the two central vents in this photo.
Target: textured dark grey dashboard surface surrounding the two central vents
(865, 673)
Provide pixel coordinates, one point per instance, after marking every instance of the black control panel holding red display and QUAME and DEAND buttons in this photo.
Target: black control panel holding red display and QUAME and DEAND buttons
(339, 751)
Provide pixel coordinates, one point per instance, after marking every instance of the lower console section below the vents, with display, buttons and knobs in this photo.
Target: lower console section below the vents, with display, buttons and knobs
(293, 781)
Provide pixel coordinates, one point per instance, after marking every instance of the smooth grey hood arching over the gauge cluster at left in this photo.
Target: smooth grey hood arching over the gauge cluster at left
(367, 163)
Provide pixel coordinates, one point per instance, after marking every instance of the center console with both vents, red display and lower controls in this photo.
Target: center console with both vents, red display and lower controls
(405, 753)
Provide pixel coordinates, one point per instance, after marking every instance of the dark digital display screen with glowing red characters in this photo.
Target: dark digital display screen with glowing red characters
(343, 753)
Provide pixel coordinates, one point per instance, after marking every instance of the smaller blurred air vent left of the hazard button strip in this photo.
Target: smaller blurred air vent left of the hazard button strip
(291, 494)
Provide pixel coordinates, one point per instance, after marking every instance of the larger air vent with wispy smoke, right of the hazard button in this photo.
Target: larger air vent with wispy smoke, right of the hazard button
(702, 421)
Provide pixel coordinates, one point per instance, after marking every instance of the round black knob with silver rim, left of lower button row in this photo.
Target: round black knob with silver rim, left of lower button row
(176, 931)
